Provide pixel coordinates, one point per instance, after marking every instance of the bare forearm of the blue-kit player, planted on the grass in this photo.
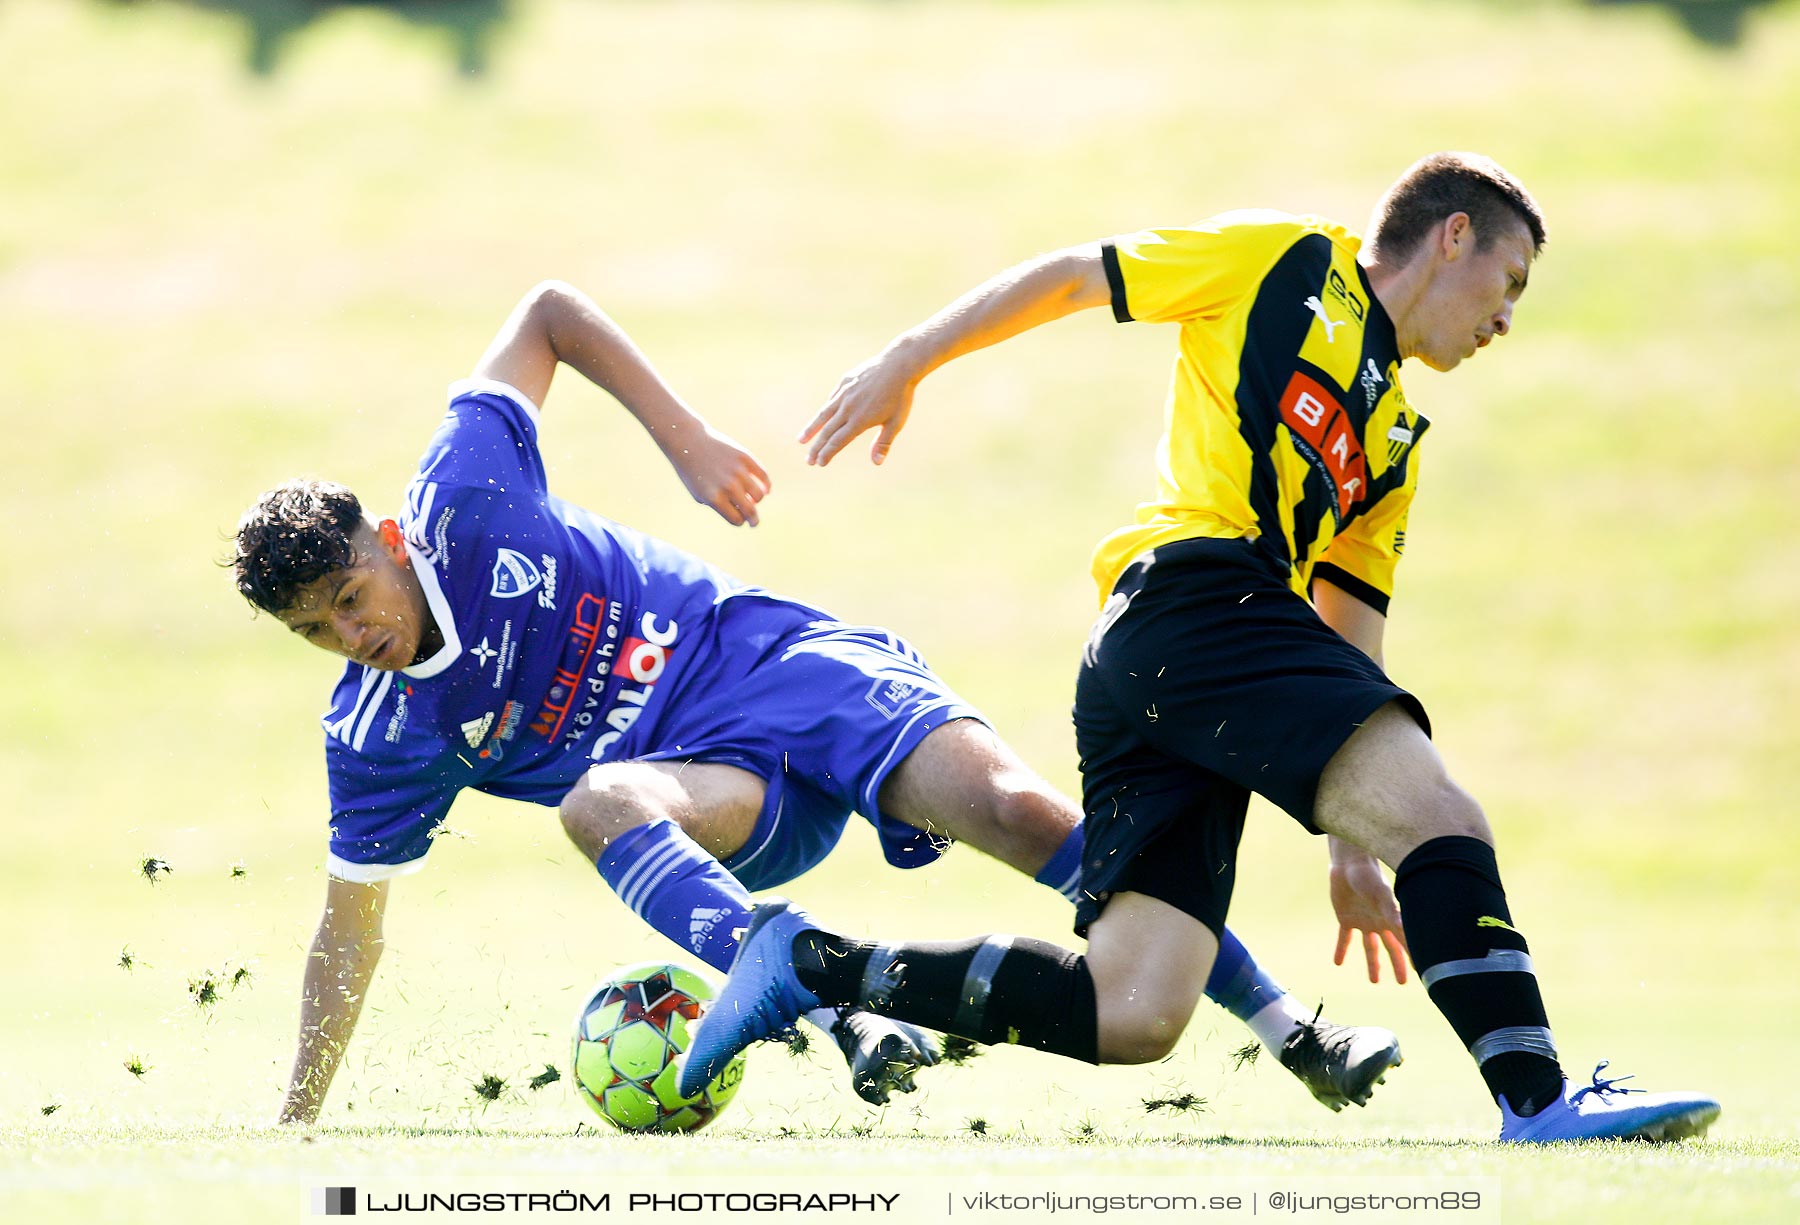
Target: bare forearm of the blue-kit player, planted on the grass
(337, 981)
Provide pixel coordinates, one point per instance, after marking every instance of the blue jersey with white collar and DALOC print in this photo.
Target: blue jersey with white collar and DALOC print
(568, 641)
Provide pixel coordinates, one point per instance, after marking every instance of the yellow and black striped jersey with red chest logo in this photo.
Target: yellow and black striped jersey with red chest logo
(1286, 418)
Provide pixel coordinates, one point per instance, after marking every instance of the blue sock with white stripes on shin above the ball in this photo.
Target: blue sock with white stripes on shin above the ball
(679, 890)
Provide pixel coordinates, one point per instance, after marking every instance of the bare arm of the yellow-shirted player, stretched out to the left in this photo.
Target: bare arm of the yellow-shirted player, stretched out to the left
(879, 393)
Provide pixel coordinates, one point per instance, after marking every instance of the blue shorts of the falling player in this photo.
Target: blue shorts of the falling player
(823, 717)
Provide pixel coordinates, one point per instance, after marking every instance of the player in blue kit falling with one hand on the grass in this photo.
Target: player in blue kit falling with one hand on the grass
(701, 738)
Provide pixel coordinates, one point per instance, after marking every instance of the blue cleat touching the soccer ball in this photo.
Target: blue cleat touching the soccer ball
(762, 997)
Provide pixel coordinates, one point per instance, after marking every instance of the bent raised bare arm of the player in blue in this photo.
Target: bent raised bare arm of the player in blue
(559, 325)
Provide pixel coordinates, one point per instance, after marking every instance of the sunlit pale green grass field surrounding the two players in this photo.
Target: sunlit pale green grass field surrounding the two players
(211, 282)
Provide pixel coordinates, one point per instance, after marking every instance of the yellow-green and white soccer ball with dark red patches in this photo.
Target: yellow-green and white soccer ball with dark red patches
(625, 1044)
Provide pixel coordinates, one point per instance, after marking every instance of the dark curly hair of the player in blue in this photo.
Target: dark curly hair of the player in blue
(291, 537)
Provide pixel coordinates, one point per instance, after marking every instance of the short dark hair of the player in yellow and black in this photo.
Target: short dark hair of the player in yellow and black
(1453, 183)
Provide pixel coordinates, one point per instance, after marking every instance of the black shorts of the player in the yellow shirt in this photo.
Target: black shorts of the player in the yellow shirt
(1207, 679)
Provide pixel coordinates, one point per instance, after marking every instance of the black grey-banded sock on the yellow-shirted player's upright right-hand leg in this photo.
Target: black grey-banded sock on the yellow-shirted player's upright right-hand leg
(1479, 969)
